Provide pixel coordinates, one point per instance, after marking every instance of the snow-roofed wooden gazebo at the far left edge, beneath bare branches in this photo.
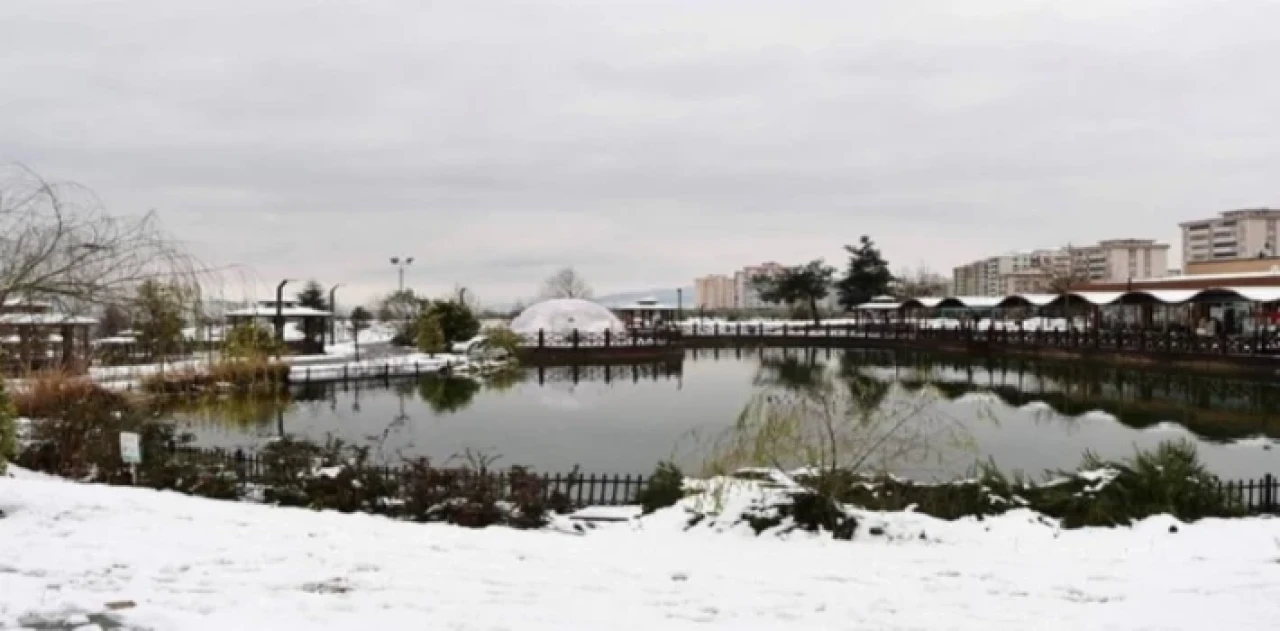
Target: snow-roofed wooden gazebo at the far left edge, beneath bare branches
(34, 337)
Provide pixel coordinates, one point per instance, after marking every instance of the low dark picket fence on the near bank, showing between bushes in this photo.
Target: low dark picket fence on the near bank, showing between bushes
(1256, 497)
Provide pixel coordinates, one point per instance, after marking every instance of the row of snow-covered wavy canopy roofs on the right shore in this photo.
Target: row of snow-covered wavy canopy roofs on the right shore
(1217, 295)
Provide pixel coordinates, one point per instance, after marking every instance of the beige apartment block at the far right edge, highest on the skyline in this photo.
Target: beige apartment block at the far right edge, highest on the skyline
(1250, 234)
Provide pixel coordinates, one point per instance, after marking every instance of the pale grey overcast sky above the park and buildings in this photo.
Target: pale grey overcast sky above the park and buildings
(643, 143)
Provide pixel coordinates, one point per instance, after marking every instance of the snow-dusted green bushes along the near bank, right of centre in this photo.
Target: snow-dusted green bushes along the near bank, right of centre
(1167, 481)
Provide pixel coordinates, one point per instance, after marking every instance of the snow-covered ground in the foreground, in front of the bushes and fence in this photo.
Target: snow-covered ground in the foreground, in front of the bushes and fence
(68, 550)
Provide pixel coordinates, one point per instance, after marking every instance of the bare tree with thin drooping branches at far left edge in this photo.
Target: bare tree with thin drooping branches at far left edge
(58, 245)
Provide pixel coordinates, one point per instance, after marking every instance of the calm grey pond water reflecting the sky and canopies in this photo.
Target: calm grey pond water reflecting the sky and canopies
(625, 419)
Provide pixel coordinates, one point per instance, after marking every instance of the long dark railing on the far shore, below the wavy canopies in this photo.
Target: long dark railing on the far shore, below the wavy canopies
(1103, 340)
